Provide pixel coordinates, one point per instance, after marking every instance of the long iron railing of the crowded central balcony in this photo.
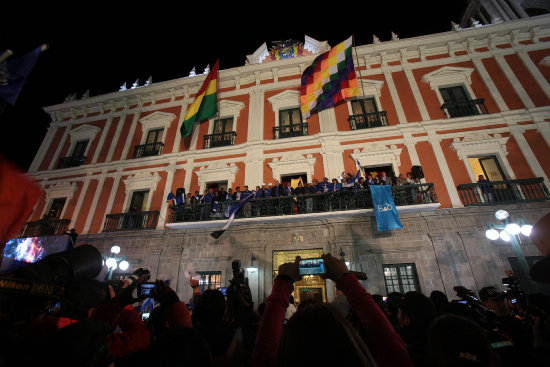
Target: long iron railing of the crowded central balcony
(300, 204)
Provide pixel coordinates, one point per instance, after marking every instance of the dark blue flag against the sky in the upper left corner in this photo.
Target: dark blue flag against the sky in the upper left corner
(15, 72)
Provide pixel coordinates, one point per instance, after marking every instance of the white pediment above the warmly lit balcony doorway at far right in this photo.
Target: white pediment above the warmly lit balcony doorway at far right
(477, 143)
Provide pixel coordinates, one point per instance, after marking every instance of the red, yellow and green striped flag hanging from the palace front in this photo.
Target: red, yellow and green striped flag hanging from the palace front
(205, 103)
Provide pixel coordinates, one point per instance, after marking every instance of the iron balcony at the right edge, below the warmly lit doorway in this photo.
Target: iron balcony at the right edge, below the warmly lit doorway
(503, 192)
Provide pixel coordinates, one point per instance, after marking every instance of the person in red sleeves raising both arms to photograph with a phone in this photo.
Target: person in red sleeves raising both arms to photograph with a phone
(319, 326)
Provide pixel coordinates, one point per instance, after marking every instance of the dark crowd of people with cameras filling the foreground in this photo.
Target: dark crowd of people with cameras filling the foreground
(98, 323)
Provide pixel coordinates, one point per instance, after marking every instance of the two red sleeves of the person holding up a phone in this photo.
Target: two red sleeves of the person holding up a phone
(388, 345)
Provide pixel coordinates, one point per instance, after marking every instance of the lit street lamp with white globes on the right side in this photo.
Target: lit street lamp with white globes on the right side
(510, 231)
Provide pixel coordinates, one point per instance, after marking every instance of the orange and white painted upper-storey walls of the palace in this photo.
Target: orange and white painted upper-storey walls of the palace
(507, 65)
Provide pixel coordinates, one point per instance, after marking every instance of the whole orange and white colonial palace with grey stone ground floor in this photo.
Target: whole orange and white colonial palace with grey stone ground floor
(447, 107)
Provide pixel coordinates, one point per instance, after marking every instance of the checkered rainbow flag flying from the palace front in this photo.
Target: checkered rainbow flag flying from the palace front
(329, 80)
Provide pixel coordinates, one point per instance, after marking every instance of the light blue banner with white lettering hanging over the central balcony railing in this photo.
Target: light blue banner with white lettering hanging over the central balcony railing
(384, 208)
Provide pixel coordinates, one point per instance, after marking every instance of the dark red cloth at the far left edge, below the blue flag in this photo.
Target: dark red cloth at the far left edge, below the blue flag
(18, 196)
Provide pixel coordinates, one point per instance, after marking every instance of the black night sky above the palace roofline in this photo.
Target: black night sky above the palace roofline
(99, 46)
